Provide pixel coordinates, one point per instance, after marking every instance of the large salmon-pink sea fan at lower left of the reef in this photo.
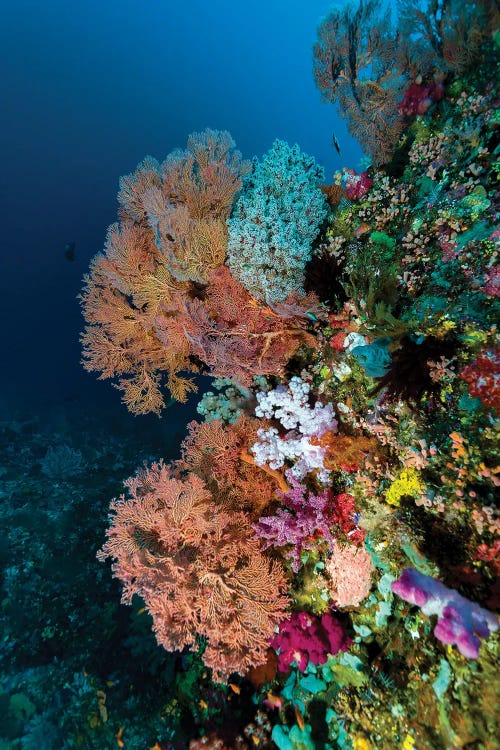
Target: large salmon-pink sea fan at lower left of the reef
(197, 568)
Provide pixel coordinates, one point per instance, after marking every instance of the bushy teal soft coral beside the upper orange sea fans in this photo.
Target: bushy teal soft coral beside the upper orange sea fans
(274, 223)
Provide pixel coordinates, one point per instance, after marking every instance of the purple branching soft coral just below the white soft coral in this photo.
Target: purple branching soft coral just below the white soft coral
(312, 518)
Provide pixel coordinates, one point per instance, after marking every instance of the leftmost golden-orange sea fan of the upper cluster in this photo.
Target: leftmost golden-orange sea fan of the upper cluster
(120, 299)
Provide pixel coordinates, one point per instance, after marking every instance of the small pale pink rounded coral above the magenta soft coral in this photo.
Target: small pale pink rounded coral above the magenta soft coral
(349, 569)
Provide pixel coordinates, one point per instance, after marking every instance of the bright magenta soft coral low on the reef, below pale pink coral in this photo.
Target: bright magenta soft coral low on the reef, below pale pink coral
(304, 637)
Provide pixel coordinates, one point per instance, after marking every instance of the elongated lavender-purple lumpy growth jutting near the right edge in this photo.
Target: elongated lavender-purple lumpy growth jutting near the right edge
(460, 621)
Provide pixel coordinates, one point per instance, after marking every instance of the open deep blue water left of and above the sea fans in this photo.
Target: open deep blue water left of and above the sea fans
(88, 90)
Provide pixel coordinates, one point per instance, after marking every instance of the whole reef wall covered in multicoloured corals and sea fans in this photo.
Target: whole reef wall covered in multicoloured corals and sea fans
(325, 550)
